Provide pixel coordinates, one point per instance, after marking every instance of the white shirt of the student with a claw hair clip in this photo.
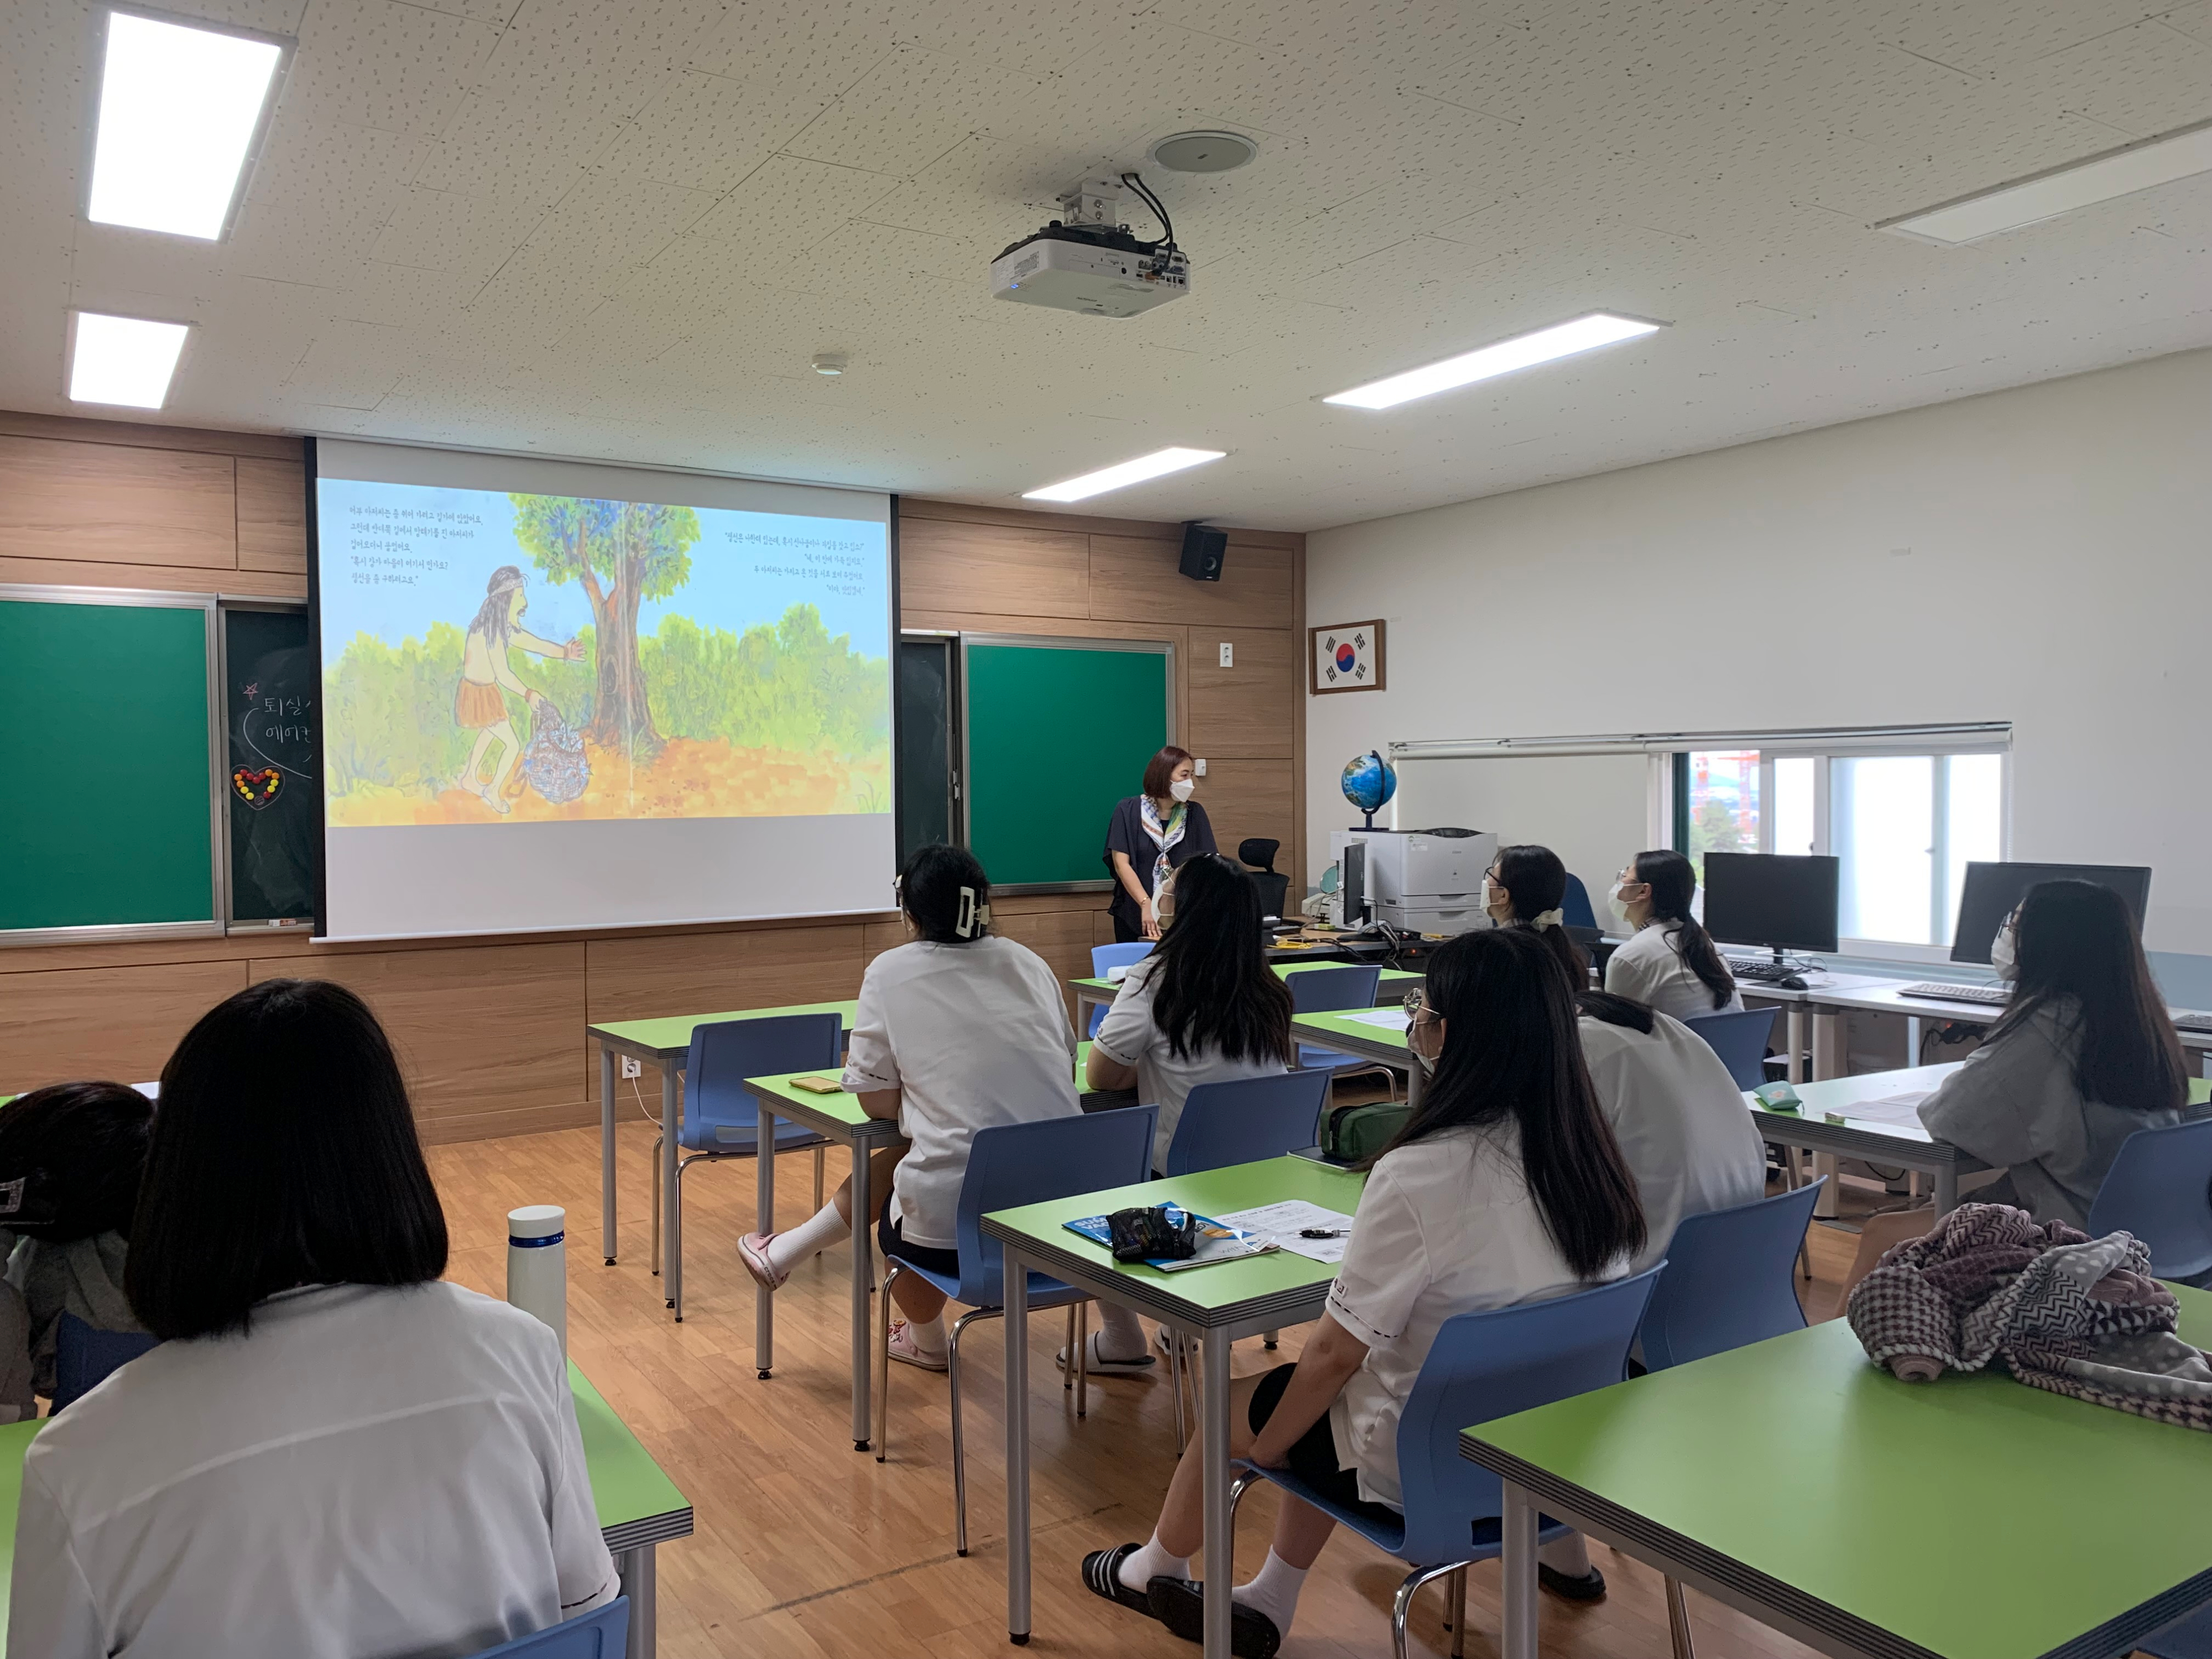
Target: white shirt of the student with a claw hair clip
(974, 1036)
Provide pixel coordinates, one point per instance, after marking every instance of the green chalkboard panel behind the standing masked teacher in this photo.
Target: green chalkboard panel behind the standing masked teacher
(1056, 733)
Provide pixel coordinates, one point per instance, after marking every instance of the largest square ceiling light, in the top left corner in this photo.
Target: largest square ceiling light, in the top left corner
(178, 118)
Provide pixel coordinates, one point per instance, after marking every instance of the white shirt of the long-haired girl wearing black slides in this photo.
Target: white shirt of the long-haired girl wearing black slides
(1446, 1227)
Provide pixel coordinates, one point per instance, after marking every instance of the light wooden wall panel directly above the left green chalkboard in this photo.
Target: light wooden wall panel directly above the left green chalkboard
(114, 505)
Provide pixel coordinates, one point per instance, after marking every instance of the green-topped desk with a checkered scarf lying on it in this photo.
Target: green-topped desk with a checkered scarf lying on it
(1864, 1516)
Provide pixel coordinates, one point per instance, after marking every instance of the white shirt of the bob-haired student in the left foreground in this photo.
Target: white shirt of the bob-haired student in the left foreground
(366, 1472)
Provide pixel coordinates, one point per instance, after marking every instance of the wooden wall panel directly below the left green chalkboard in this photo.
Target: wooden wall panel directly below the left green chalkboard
(103, 1023)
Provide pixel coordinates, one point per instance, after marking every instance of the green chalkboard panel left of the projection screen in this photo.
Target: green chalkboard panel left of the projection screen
(107, 747)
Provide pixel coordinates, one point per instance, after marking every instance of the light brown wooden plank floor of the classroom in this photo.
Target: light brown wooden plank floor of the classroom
(811, 1550)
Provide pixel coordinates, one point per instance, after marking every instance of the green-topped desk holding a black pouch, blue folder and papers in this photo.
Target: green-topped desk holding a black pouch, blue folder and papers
(1213, 1304)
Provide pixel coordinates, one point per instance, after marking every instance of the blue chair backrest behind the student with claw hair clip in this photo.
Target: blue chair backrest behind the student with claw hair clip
(1019, 1165)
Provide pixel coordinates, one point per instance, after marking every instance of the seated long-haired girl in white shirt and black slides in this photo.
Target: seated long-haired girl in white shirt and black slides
(1505, 1187)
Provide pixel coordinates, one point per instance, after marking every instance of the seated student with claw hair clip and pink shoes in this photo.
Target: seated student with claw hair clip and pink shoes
(957, 1032)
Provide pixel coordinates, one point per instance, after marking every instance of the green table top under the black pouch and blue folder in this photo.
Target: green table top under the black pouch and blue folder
(1039, 1231)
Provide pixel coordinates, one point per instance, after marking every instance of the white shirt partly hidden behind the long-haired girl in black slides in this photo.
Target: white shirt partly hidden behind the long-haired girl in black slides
(1680, 1120)
